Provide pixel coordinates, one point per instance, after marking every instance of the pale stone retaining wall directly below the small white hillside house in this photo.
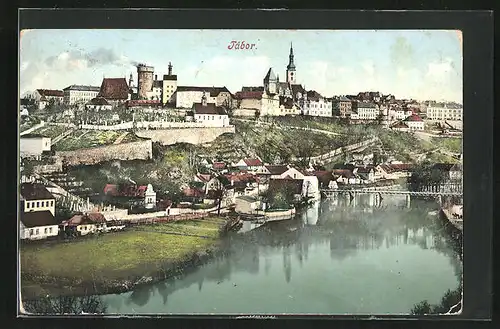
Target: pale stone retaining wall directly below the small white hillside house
(186, 135)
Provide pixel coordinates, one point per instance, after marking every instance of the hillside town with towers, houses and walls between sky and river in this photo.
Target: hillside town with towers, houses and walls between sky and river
(145, 150)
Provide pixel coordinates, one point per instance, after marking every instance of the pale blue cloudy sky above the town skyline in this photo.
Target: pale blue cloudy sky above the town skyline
(417, 64)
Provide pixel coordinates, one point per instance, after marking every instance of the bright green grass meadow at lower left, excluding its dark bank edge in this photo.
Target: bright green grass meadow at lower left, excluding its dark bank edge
(134, 252)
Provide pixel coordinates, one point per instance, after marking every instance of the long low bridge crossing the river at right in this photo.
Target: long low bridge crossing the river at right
(379, 194)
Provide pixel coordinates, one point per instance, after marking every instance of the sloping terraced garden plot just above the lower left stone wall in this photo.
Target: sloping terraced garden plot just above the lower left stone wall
(81, 139)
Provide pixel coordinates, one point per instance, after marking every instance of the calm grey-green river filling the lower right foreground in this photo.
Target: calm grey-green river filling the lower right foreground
(335, 257)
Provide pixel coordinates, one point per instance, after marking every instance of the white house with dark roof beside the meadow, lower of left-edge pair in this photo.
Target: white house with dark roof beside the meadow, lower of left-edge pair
(38, 225)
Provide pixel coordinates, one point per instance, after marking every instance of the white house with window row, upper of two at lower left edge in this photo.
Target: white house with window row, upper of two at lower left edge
(35, 198)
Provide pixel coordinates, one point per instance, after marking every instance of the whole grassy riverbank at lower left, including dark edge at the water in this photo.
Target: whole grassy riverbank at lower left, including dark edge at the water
(117, 262)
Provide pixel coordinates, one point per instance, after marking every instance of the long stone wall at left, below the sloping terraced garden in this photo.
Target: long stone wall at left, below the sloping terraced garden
(127, 151)
